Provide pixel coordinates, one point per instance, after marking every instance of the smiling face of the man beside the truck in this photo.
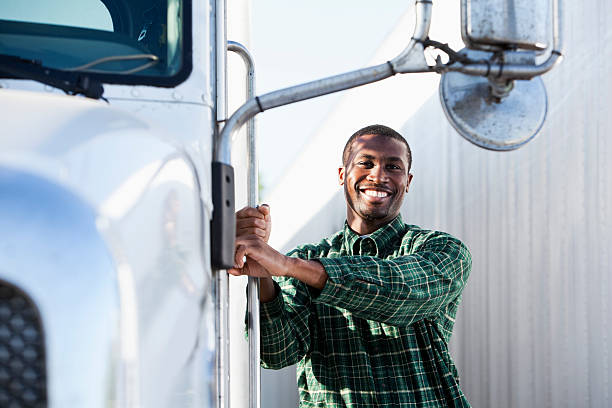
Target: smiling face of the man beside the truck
(375, 179)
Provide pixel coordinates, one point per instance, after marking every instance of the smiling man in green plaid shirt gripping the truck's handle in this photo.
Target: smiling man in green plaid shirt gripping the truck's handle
(367, 313)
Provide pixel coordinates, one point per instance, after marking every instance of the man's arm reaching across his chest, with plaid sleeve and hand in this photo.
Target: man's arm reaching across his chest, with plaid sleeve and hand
(399, 291)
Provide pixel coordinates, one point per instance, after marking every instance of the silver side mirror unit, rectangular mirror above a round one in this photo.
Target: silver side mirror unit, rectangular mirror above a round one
(493, 96)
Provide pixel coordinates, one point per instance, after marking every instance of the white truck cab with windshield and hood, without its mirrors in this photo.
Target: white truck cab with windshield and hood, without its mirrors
(105, 203)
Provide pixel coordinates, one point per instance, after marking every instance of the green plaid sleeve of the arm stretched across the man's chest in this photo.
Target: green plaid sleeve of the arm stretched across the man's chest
(402, 290)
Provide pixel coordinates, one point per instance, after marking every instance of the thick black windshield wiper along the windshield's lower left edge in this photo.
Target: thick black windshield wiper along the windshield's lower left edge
(73, 83)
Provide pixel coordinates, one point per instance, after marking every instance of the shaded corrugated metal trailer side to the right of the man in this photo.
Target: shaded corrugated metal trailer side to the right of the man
(535, 328)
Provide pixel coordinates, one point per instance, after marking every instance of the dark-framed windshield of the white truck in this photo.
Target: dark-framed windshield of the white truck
(114, 41)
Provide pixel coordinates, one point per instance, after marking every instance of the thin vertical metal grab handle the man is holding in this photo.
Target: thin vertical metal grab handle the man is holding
(252, 186)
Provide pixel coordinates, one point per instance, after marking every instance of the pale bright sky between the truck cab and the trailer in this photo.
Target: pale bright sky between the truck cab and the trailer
(299, 41)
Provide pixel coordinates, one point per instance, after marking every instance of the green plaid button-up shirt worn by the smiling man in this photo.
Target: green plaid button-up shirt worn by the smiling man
(377, 334)
